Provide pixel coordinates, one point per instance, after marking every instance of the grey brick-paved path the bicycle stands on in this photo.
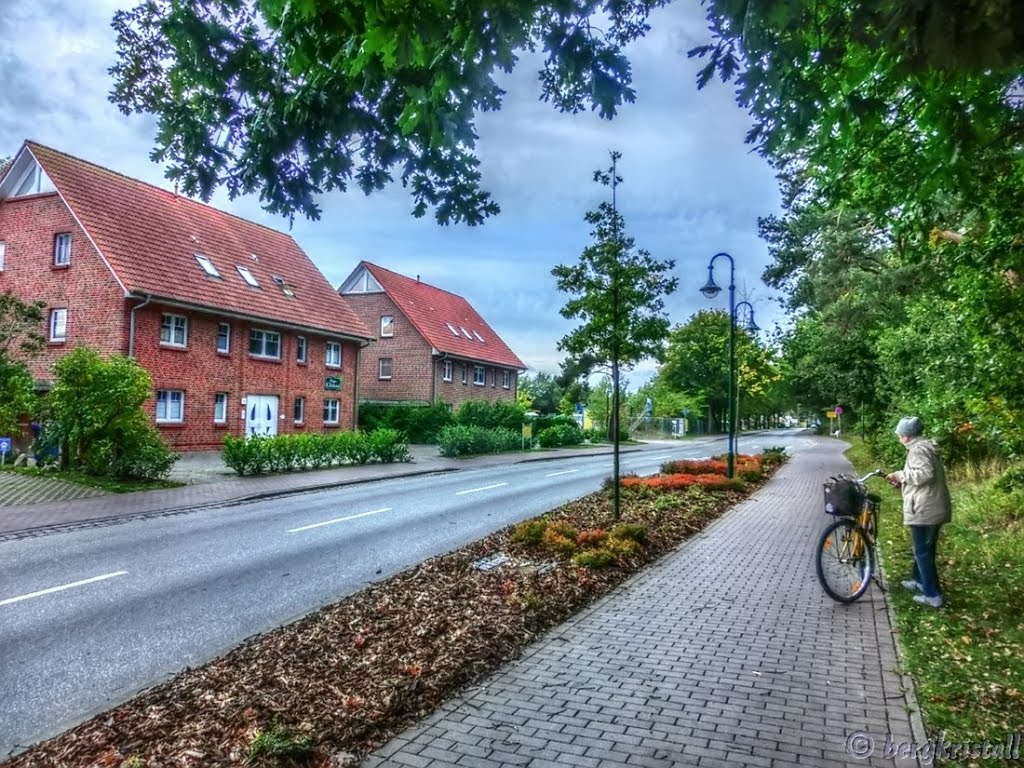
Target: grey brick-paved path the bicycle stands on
(727, 653)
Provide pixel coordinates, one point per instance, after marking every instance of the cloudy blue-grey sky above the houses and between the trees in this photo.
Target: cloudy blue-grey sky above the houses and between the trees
(692, 188)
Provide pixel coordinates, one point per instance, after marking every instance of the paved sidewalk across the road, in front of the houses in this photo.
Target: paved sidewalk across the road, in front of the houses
(210, 486)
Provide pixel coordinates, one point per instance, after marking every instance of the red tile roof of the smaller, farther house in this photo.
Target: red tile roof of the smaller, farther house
(432, 311)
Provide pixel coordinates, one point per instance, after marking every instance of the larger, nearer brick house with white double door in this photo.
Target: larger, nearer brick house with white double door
(239, 330)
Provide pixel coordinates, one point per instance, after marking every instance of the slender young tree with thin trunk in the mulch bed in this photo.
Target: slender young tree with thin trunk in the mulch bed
(618, 293)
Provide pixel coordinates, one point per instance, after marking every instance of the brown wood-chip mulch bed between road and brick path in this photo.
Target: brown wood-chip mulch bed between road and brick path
(349, 677)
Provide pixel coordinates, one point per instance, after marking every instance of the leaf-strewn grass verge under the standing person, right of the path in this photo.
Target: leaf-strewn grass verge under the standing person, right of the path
(967, 660)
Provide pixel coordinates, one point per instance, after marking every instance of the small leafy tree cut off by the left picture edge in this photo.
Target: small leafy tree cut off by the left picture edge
(20, 340)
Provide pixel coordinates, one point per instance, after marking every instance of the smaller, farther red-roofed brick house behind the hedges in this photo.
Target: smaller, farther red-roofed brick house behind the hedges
(432, 345)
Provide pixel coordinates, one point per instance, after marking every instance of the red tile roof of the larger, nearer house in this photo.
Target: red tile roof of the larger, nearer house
(150, 237)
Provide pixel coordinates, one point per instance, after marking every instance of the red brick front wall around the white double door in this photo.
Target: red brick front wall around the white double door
(200, 372)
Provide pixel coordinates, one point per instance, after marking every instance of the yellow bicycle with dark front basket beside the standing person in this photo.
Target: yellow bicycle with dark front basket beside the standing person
(845, 560)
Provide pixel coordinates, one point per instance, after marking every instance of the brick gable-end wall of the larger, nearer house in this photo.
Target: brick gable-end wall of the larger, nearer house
(97, 315)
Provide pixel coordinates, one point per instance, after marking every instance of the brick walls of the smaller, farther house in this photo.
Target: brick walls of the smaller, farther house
(415, 375)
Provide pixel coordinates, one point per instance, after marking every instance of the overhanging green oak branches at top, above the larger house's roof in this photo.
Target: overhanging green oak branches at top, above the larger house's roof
(290, 99)
